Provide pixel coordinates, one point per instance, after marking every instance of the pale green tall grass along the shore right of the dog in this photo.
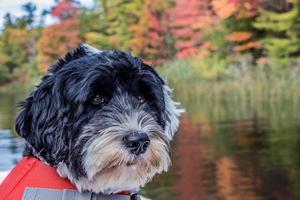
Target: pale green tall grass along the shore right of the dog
(241, 93)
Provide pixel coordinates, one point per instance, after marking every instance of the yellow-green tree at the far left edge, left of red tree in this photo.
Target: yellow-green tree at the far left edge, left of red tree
(17, 41)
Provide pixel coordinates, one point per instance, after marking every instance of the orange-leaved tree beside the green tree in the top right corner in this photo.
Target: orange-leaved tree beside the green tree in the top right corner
(236, 17)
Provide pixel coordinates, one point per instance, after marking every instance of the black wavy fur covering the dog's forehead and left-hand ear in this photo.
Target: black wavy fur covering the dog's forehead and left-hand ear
(53, 116)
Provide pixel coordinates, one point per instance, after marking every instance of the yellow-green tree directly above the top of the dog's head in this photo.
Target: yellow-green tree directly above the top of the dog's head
(115, 19)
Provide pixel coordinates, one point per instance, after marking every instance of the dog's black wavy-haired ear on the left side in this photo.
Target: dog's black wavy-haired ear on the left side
(41, 125)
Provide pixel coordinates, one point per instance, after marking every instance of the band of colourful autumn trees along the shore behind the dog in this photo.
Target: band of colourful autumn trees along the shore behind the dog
(156, 30)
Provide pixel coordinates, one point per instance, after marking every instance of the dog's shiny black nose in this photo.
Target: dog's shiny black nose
(137, 142)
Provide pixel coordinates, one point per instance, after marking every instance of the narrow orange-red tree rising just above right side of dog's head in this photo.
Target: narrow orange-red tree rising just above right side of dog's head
(149, 33)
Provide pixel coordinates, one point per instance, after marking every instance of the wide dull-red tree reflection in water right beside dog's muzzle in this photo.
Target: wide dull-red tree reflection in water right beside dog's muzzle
(193, 163)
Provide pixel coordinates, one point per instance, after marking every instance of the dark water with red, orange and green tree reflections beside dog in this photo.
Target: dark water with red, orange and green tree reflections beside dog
(232, 161)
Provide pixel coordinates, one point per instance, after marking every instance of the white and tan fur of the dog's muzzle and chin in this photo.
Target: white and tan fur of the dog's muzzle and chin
(106, 157)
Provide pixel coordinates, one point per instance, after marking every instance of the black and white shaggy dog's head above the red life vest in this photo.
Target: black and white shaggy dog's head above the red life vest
(104, 118)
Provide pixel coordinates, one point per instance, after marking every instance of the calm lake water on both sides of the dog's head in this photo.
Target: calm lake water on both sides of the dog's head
(225, 150)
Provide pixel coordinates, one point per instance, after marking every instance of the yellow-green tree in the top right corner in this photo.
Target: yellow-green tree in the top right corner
(282, 30)
